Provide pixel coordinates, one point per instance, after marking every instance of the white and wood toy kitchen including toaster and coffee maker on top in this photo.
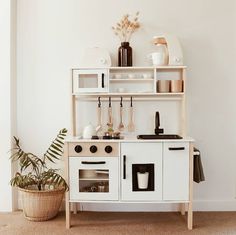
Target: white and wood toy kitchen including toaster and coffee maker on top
(129, 140)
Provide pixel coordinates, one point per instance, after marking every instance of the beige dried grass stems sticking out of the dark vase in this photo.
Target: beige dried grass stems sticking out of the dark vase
(125, 28)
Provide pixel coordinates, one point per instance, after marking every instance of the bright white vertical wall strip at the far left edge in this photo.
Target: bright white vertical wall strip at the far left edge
(7, 120)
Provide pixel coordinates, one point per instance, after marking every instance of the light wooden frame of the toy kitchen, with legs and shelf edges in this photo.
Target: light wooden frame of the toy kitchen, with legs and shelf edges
(152, 95)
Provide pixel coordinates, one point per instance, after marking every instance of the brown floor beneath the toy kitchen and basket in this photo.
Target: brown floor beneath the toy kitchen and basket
(123, 223)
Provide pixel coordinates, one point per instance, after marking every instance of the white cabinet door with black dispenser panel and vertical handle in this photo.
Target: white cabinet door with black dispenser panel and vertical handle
(134, 158)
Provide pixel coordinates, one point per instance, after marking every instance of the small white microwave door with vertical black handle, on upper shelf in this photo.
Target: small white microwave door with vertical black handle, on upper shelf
(90, 80)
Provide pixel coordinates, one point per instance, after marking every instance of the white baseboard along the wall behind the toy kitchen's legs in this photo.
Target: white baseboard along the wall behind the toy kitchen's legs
(198, 205)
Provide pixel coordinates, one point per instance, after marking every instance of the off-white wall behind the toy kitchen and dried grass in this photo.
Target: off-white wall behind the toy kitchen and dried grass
(53, 34)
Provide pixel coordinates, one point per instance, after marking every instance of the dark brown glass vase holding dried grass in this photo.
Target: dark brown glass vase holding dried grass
(125, 55)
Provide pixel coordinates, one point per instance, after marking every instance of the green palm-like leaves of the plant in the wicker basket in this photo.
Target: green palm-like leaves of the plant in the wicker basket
(34, 171)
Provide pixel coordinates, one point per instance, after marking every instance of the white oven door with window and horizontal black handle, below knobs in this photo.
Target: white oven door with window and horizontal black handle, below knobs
(93, 178)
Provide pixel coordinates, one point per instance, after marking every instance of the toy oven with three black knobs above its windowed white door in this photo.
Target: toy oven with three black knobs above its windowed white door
(93, 171)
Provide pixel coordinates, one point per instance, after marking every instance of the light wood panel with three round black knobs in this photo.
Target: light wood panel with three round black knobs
(83, 149)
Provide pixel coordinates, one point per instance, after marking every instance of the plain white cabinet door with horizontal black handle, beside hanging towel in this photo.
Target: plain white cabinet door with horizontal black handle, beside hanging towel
(176, 171)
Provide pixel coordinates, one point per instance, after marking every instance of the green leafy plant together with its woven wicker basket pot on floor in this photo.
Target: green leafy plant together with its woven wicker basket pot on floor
(41, 187)
